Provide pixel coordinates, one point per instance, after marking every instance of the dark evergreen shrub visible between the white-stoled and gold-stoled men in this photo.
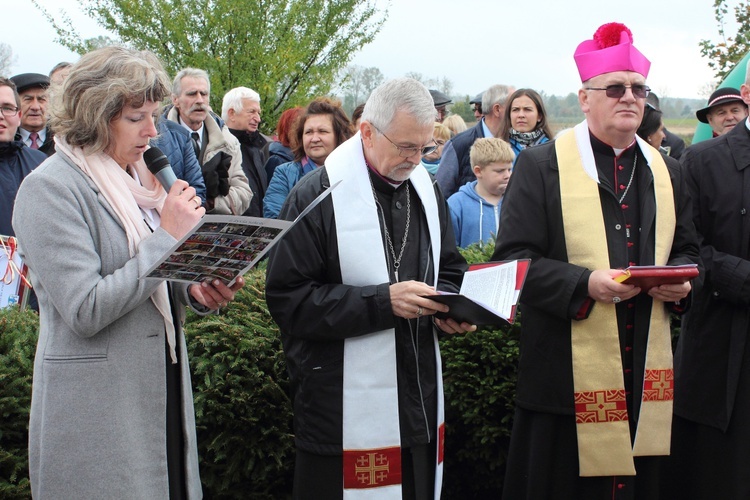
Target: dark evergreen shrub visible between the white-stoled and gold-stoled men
(479, 372)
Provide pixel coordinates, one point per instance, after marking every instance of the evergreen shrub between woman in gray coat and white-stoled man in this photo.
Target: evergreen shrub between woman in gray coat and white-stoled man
(241, 391)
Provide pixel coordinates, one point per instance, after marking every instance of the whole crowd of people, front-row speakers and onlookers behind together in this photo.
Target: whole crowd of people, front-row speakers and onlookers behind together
(601, 400)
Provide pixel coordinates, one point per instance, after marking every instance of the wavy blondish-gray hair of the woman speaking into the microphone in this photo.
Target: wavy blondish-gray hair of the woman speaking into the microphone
(99, 86)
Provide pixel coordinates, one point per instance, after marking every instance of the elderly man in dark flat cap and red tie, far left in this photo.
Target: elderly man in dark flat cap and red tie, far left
(32, 88)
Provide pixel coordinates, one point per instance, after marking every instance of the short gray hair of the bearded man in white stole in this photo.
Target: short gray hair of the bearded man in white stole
(401, 94)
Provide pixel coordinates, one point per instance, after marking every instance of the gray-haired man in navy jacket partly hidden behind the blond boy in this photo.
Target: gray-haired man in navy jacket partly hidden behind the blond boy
(455, 168)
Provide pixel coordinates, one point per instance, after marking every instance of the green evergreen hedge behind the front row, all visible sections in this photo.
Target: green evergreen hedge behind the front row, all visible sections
(243, 410)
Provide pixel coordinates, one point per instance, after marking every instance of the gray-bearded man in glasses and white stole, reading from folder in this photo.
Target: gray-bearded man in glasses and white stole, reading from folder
(348, 286)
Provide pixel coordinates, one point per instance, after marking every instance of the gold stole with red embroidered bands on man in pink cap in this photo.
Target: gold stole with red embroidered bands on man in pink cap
(604, 447)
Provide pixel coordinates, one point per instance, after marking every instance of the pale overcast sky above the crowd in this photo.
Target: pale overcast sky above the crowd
(474, 43)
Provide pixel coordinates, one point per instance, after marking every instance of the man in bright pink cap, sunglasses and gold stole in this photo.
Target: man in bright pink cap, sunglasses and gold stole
(593, 406)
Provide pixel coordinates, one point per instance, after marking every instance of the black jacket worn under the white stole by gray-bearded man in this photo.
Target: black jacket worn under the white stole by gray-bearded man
(316, 312)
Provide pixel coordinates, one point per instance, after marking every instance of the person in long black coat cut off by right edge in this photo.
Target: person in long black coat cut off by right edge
(711, 441)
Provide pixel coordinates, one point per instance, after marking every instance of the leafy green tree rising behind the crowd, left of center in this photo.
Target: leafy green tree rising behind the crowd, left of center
(289, 51)
